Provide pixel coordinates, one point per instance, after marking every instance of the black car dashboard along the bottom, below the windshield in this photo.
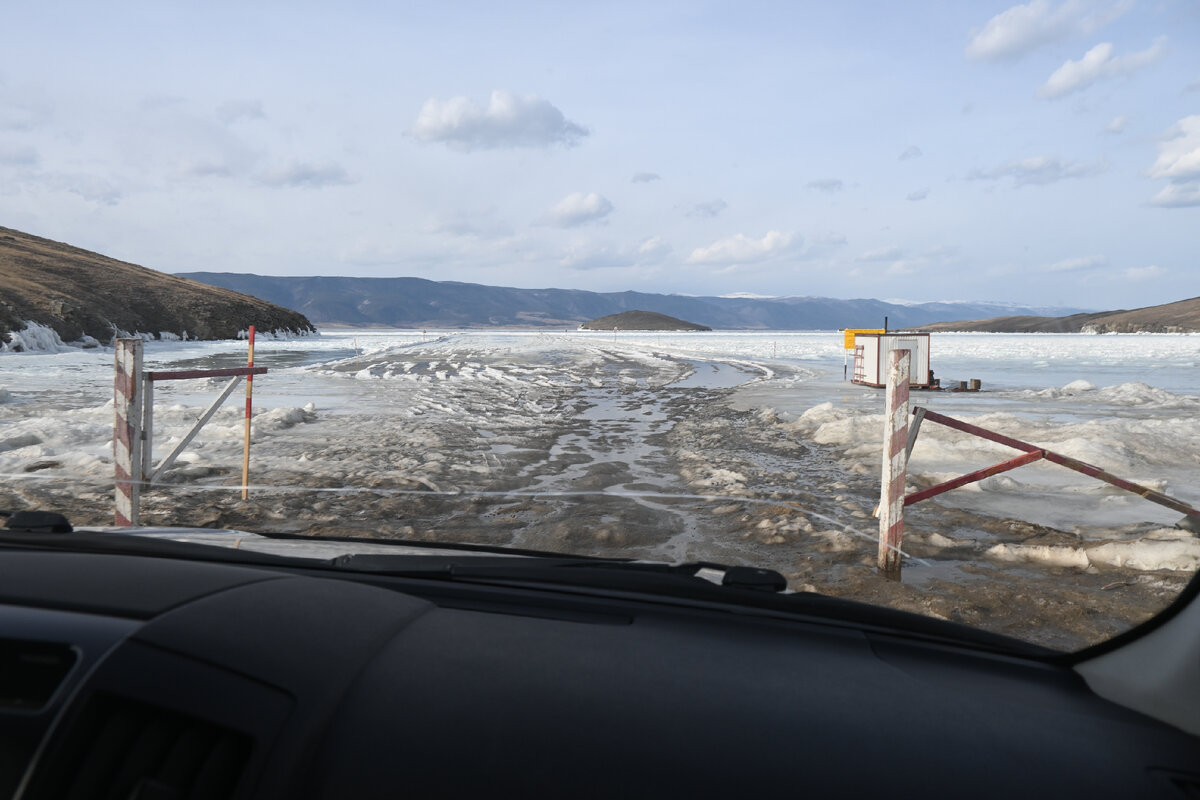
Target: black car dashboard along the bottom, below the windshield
(133, 676)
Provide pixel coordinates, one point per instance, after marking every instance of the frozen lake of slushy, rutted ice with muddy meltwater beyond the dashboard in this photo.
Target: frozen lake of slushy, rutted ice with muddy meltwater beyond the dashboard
(728, 447)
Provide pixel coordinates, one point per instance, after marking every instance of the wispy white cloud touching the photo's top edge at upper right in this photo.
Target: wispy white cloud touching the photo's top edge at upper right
(1022, 29)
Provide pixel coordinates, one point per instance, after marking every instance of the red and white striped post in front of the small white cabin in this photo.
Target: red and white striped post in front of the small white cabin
(896, 458)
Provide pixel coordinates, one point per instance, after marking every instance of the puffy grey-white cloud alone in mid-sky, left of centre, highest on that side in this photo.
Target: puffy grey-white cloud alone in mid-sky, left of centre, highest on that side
(509, 122)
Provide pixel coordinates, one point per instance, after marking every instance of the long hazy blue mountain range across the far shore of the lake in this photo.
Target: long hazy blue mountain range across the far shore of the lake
(417, 303)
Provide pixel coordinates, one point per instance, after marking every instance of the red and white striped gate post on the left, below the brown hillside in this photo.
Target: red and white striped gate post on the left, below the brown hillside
(128, 430)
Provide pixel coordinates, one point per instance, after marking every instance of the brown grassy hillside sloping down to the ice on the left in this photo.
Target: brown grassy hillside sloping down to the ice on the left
(80, 293)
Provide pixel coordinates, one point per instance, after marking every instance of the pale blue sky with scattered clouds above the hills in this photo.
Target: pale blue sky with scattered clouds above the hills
(1043, 154)
